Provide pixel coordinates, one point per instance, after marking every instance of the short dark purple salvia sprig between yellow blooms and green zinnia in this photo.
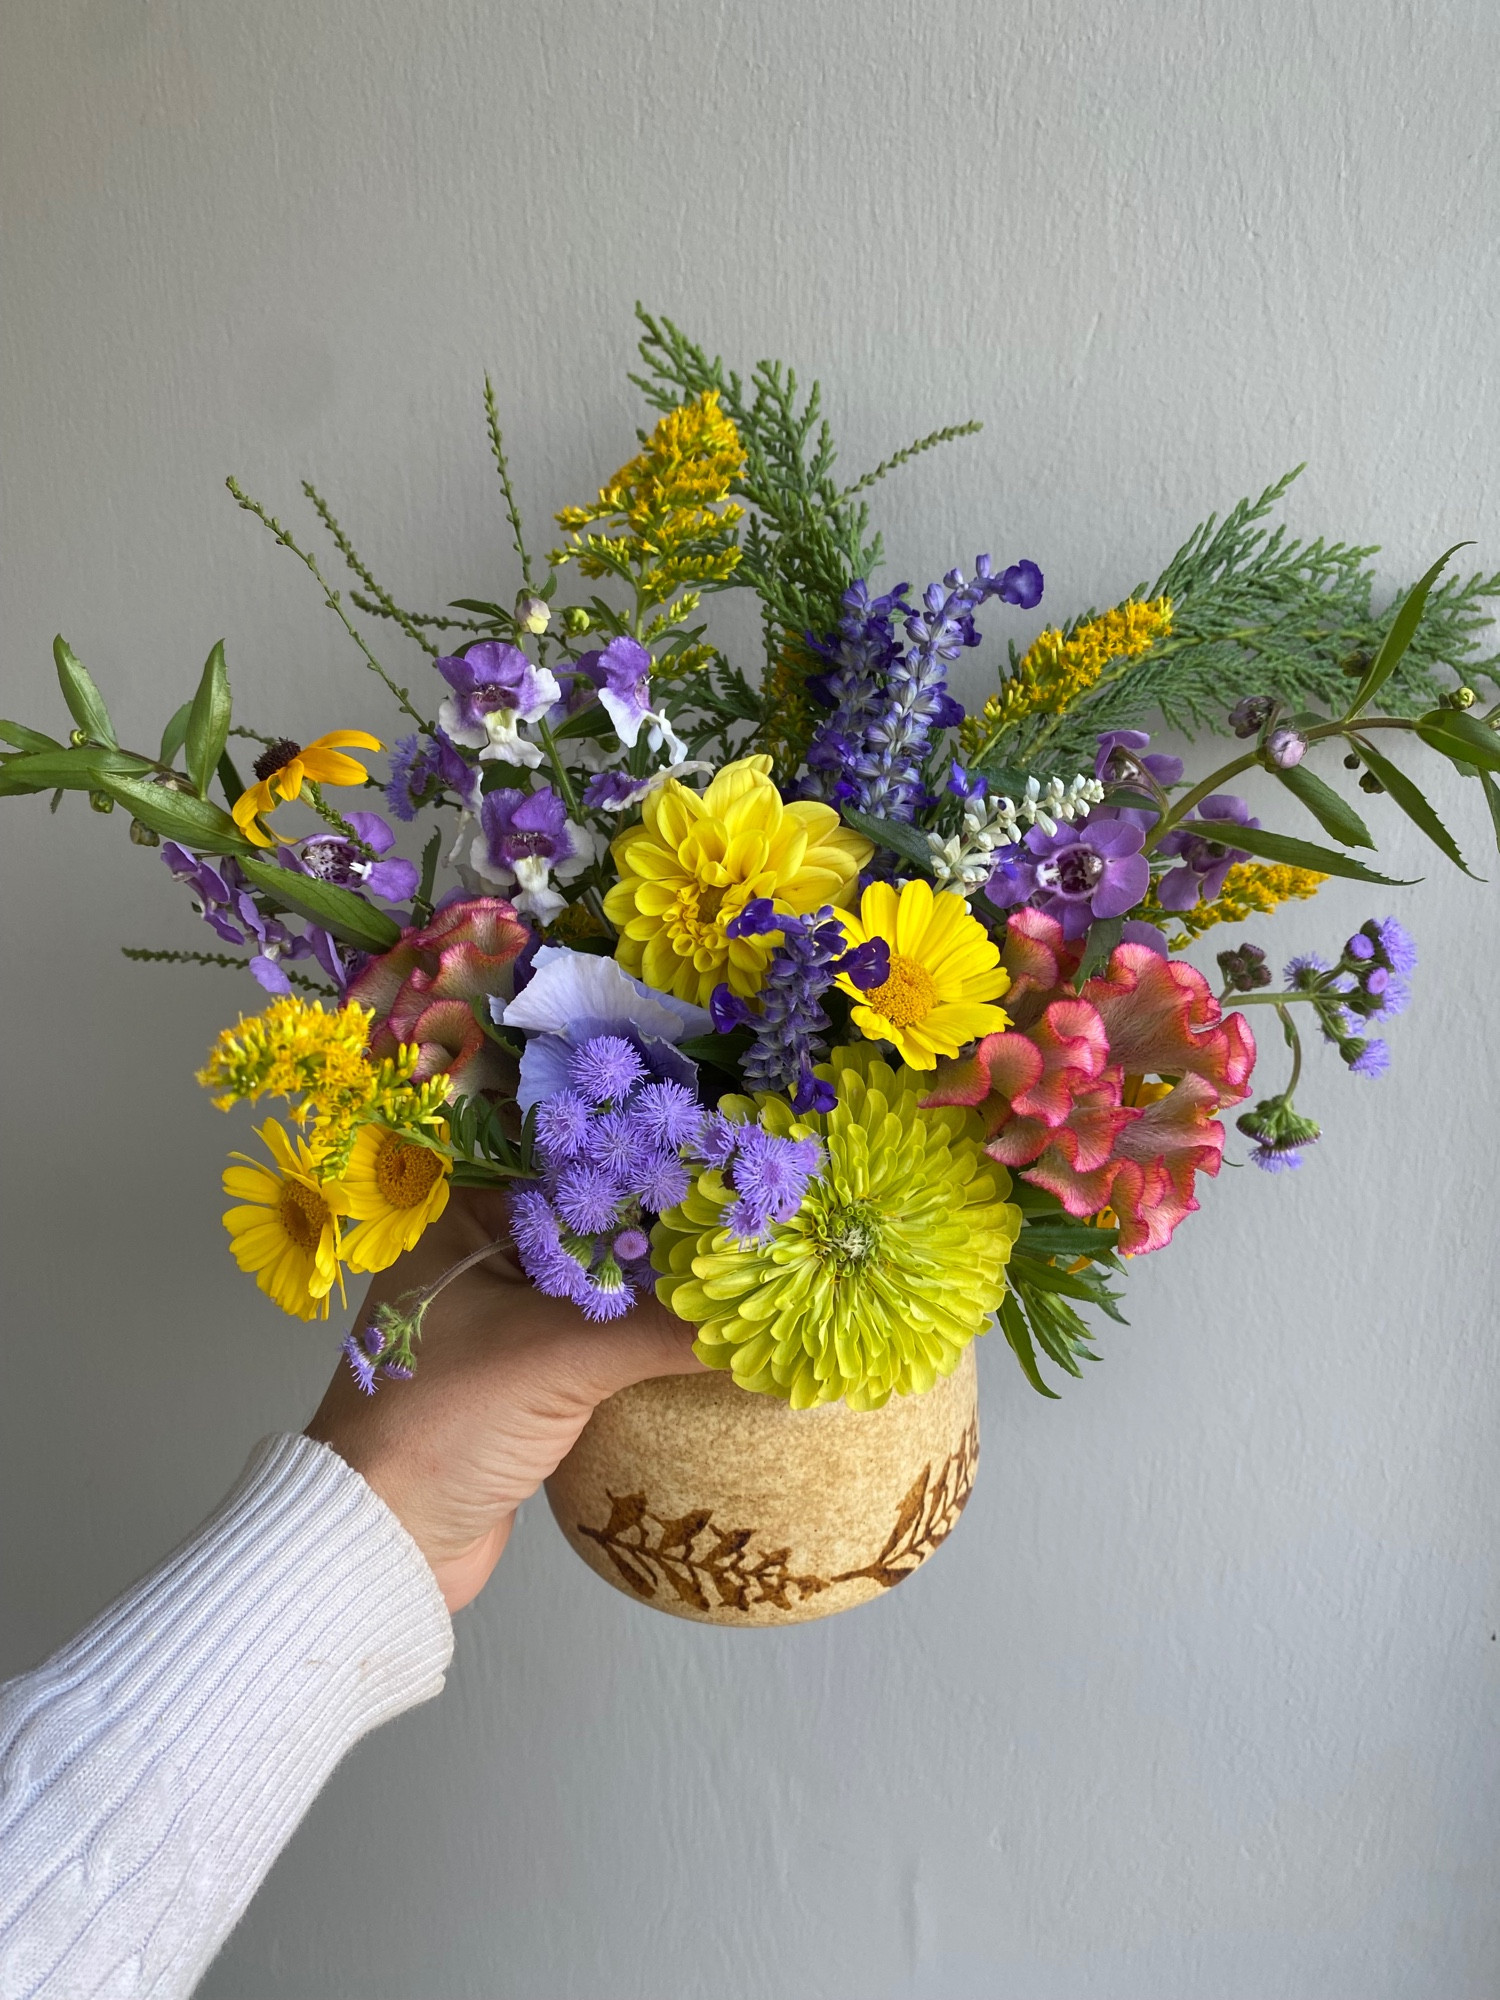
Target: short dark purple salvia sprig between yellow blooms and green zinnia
(791, 1023)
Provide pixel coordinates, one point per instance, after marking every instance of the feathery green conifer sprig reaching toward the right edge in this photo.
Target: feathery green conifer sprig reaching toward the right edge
(1265, 613)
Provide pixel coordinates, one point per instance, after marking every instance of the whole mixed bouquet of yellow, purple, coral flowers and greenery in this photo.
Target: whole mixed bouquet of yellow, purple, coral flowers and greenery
(843, 1021)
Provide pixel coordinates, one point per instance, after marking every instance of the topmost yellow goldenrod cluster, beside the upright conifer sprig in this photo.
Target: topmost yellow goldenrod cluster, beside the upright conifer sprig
(667, 519)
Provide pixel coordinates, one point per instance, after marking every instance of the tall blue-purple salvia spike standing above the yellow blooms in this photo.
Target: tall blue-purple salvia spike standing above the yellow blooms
(889, 701)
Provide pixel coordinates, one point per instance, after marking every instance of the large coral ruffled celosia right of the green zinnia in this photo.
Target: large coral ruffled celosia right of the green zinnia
(1063, 1101)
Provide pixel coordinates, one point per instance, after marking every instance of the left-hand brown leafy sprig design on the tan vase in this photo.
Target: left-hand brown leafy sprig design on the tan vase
(707, 1567)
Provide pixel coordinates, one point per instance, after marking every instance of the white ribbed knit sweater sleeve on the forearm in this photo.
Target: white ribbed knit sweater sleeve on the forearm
(153, 1769)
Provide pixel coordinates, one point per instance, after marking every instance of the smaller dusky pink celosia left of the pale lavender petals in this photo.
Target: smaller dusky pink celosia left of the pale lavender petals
(423, 989)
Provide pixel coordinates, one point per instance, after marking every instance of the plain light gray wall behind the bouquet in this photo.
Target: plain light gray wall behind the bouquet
(1201, 1699)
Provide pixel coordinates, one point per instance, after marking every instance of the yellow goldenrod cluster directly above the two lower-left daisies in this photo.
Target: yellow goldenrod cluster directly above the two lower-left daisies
(299, 1051)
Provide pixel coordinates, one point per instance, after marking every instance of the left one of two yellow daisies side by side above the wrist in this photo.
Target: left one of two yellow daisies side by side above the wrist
(287, 1225)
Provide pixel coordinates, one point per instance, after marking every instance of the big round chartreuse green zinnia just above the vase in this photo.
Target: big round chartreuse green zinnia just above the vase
(889, 1269)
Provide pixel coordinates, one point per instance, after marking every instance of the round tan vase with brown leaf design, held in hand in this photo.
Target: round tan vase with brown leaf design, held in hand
(707, 1503)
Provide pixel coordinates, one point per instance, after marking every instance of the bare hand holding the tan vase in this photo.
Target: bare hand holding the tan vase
(505, 1383)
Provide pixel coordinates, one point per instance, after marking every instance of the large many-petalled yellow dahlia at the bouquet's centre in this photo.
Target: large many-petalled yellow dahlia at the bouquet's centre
(695, 863)
